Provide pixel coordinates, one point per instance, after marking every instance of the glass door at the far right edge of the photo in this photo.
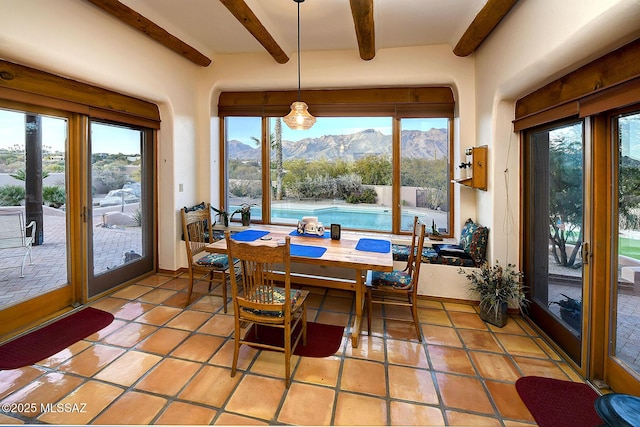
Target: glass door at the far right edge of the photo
(622, 361)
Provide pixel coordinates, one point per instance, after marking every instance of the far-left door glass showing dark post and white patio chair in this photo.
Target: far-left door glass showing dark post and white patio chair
(32, 188)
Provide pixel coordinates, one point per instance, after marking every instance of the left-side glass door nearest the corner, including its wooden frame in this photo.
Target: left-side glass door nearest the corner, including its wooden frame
(120, 215)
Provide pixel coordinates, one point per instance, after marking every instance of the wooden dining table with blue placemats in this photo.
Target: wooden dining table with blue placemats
(353, 252)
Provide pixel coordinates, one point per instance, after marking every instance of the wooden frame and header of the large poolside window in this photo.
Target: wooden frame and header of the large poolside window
(397, 103)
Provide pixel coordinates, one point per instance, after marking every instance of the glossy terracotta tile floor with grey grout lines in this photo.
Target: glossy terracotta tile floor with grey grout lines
(158, 363)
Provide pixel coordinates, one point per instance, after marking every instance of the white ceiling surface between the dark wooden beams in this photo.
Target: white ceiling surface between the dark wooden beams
(208, 26)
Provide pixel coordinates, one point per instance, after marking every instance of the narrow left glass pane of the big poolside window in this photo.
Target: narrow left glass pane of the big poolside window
(244, 165)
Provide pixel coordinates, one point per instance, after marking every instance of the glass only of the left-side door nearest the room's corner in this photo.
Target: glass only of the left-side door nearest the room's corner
(116, 190)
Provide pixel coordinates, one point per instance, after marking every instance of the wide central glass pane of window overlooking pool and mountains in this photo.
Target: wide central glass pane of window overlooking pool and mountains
(338, 171)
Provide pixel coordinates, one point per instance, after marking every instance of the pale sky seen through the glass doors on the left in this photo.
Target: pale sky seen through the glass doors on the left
(105, 138)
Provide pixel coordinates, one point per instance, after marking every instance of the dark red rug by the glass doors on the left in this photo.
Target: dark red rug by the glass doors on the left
(49, 340)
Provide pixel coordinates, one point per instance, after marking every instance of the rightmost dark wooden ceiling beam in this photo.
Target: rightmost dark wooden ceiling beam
(486, 20)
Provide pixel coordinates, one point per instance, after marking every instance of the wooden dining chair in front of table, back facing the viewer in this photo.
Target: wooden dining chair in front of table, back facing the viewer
(259, 303)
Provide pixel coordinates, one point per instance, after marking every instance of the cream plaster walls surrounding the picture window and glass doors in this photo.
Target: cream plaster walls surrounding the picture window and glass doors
(538, 41)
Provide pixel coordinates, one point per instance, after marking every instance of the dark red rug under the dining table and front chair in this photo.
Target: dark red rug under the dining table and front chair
(322, 340)
